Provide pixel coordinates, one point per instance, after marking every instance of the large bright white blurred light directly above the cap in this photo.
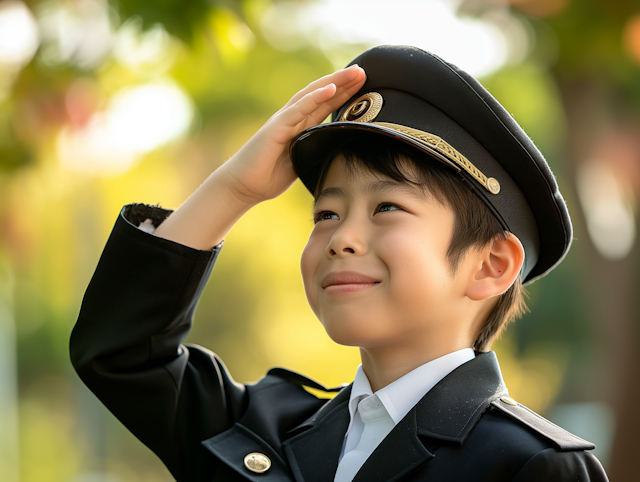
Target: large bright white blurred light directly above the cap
(478, 45)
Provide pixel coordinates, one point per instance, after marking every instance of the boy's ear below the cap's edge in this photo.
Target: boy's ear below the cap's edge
(497, 267)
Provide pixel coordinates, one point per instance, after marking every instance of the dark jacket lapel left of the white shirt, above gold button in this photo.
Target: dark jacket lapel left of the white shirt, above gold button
(315, 446)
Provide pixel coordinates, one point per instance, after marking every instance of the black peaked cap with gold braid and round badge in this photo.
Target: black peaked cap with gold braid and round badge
(418, 98)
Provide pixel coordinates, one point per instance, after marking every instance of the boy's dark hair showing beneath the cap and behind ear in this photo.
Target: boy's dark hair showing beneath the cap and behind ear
(474, 227)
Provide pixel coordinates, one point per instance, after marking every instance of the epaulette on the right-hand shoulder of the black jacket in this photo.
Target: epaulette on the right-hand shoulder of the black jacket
(565, 440)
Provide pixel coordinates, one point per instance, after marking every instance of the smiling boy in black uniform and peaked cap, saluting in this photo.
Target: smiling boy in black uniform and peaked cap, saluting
(431, 207)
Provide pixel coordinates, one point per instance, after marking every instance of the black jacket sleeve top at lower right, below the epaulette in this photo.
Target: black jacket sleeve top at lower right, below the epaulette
(551, 464)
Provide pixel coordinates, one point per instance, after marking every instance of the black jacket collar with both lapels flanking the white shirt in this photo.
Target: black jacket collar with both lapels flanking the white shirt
(447, 413)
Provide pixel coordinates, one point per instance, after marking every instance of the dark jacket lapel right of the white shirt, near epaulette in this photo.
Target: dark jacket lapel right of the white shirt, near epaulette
(447, 413)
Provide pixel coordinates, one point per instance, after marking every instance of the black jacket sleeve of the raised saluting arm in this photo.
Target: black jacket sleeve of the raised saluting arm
(126, 346)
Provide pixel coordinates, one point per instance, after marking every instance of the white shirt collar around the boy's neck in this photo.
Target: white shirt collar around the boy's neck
(401, 396)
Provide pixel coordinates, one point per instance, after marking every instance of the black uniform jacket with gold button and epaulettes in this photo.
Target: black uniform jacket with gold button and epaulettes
(182, 403)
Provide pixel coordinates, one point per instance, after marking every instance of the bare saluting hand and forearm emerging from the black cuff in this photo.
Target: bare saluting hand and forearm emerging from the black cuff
(261, 169)
